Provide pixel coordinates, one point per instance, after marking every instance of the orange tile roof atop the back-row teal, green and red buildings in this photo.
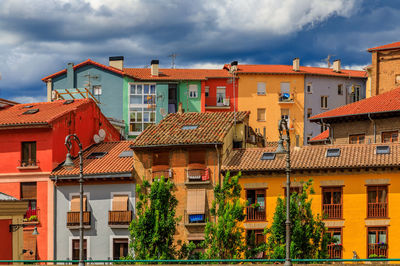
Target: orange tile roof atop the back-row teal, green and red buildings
(177, 74)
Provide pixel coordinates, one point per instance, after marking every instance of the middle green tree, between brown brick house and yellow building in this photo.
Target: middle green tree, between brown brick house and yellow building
(224, 239)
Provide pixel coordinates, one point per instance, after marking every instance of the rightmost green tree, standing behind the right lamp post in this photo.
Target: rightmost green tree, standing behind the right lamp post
(309, 239)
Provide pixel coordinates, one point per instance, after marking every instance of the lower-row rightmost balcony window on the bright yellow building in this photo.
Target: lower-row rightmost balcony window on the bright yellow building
(377, 241)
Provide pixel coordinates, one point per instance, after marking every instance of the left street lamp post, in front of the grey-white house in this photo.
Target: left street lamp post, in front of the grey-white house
(69, 164)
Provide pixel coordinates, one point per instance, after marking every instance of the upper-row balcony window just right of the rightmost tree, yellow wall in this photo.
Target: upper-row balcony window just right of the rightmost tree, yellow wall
(332, 202)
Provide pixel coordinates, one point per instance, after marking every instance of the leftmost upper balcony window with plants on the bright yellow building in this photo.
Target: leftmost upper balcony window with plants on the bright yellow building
(256, 204)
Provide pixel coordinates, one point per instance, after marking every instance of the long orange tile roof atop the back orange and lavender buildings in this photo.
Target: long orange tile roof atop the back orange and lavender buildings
(288, 69)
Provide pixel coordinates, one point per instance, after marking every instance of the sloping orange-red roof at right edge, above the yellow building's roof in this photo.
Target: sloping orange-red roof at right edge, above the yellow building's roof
(386, 102)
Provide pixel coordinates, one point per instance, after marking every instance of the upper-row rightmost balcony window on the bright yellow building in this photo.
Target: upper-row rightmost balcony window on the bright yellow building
(377, 201)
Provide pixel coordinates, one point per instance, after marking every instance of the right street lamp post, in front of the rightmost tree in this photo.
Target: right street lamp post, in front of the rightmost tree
(283, 126)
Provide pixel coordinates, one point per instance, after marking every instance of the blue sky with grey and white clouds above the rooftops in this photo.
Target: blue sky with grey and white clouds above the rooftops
(40, 37)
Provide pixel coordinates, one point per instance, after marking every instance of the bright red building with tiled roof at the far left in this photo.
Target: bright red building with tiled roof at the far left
(31, 145)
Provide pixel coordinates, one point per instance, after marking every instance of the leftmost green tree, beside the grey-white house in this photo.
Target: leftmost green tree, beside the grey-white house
(153, 230)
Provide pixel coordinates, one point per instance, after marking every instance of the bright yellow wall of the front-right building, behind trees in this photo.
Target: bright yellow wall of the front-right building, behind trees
(354, 205)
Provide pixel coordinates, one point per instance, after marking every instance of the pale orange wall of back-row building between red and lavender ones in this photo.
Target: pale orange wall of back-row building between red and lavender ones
(250, 101)
